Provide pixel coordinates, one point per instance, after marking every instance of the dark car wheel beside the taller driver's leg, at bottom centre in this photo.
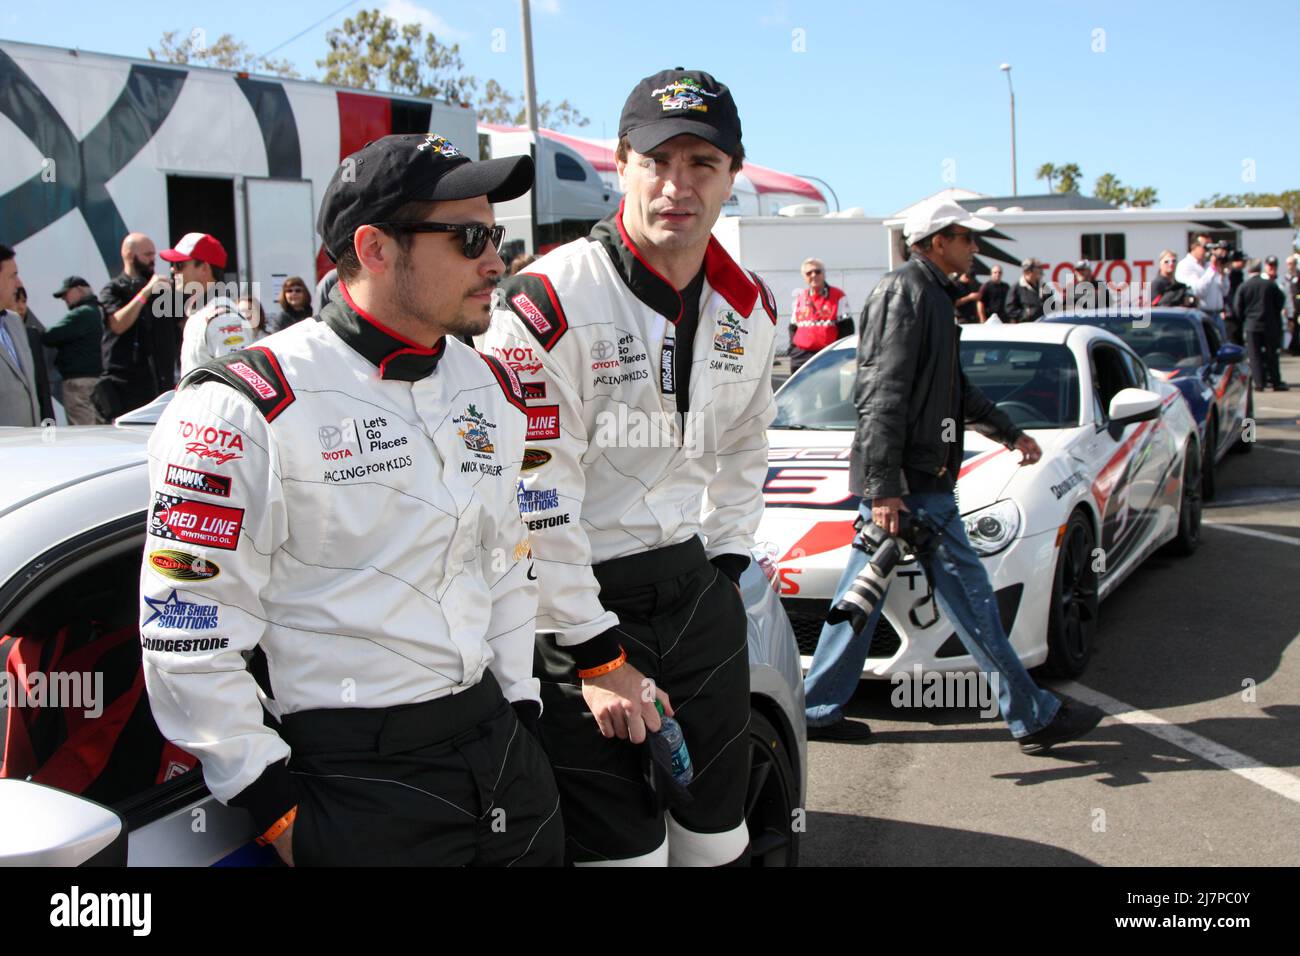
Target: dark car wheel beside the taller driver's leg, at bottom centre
(770, 802)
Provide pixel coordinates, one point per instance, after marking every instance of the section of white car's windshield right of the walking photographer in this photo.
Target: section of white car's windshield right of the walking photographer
(1035, 384)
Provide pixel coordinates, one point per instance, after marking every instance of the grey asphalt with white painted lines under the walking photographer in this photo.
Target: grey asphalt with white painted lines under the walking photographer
(1198, 763)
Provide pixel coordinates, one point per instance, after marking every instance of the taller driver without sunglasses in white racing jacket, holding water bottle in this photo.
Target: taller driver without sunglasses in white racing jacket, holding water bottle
(648, 360)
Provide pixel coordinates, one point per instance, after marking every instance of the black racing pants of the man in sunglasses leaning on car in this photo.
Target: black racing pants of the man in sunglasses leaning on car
(452, 782)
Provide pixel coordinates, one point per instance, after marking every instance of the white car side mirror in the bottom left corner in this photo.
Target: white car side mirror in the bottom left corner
(45, 827)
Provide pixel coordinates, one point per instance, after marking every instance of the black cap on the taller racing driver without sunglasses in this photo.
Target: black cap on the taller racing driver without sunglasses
(677, 102)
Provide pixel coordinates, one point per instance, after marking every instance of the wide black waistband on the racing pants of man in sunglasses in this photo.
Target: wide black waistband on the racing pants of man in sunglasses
(395, 730)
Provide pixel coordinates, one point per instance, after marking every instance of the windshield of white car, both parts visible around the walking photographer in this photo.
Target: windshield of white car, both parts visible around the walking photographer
(1038, 386)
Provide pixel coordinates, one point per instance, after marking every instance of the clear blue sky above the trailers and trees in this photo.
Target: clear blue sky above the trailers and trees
(889, 102)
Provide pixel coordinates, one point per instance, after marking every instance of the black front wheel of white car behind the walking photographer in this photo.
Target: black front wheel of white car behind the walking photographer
(1073, 617)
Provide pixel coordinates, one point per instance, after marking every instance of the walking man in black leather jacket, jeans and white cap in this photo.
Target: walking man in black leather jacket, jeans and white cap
(909, 392)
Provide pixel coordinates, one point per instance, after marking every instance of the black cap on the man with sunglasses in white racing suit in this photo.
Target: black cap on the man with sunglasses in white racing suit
(384, 175)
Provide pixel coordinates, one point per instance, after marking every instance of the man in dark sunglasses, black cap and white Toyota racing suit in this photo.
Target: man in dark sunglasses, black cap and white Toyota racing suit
(339, 503)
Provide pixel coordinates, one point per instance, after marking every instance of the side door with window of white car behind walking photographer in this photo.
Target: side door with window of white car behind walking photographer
(1125, 456)
